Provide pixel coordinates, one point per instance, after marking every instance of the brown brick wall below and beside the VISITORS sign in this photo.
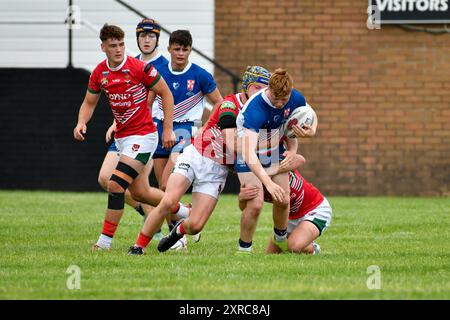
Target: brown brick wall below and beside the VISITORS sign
(382, 96)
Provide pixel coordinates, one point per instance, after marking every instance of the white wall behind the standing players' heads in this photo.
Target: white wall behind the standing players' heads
(46, 45)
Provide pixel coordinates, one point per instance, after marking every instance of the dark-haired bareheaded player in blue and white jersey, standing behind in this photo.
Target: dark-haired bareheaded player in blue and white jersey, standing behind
(190, 84)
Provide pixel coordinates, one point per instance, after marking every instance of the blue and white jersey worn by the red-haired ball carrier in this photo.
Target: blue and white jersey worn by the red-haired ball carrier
(259, 115)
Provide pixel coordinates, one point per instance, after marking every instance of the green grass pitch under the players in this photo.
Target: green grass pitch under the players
(43, 233)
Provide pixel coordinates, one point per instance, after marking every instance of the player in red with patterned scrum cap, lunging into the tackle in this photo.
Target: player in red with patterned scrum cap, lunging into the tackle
(202, 165)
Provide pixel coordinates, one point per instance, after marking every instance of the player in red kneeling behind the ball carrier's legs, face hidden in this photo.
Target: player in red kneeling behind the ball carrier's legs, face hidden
(309, 214)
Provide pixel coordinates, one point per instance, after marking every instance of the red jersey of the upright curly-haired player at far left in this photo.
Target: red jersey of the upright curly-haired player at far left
(127, 89)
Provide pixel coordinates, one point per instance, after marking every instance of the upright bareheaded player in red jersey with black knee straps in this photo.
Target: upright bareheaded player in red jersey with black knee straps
(126, 82)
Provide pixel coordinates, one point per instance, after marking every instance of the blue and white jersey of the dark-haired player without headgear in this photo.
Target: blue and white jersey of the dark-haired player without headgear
(189, 88)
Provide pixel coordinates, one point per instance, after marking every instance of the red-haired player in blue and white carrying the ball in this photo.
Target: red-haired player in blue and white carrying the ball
(261, 119)
